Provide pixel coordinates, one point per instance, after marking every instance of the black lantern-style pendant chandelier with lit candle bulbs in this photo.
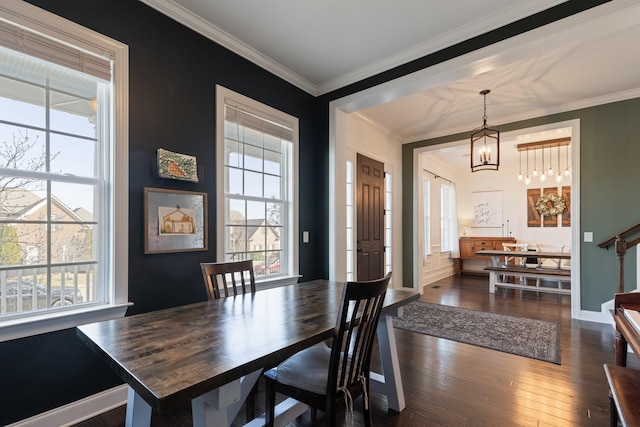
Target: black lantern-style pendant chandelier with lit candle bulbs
(485, 143)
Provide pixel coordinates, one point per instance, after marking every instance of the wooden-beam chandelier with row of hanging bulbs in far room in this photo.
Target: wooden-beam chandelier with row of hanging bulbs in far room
(550, 173)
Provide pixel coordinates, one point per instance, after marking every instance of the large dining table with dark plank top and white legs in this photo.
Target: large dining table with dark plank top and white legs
(212, 353)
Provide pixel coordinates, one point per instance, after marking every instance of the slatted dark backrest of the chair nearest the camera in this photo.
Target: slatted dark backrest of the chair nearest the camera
(354, 334)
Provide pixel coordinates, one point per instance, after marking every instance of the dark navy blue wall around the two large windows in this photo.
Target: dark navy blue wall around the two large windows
(173, 73)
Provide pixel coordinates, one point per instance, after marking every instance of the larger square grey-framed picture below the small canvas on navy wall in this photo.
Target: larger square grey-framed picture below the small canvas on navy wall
(175, 221)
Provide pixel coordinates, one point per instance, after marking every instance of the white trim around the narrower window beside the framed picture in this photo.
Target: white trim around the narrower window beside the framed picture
(293, 235)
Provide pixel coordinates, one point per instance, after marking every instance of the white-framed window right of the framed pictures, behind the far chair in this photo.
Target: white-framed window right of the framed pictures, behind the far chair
(257, 155)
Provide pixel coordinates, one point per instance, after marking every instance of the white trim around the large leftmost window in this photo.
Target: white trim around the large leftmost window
(67, 31)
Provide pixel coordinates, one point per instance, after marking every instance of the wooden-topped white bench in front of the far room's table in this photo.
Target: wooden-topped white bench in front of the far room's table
(495, 272)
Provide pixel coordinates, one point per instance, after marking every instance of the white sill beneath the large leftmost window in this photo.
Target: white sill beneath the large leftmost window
(25, 327)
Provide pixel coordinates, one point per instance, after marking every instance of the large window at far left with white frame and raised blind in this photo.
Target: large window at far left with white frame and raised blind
(63, 179)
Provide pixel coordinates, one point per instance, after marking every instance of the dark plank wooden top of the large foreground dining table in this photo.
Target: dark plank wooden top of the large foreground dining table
(174, 355)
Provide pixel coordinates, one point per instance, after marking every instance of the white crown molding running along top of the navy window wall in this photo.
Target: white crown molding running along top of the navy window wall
(206, 29)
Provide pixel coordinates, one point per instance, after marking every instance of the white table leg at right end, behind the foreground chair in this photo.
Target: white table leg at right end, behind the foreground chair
(391, 383)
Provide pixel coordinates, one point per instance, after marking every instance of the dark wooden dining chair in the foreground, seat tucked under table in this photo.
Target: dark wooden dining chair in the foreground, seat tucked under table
(328, 378)
